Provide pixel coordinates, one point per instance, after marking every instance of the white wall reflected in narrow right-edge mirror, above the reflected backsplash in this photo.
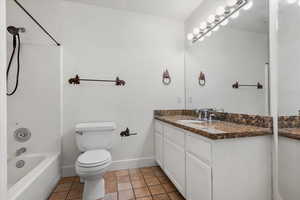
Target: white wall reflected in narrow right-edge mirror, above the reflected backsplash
(289, 59)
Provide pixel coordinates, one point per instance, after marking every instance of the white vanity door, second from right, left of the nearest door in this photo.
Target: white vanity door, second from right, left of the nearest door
(174, 163)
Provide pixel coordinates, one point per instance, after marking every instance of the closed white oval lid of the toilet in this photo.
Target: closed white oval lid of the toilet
(94, 157)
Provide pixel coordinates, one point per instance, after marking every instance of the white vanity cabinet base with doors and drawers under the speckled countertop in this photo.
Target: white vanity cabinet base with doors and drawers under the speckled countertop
(206, 169)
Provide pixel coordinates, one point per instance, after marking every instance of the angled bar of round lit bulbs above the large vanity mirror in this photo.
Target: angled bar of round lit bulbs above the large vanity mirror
(221, 18)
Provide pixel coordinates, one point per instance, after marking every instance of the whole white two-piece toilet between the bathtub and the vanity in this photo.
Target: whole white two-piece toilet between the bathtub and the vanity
(94, 140)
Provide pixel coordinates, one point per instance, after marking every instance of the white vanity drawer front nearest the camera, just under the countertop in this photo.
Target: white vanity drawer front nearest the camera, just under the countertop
(198, 147)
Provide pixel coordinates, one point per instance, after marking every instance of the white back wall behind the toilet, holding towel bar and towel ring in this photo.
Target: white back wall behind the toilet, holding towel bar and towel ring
(103, 43)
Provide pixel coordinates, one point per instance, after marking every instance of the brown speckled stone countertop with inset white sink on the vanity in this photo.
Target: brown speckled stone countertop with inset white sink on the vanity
(223, 129)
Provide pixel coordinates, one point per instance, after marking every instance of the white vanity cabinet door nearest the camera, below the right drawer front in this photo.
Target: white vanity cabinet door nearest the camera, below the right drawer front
(198, 179)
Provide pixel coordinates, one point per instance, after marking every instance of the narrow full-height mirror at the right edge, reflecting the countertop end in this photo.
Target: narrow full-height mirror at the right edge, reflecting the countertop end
(289, 100)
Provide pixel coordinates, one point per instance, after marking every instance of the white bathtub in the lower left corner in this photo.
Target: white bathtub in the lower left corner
(36, 179)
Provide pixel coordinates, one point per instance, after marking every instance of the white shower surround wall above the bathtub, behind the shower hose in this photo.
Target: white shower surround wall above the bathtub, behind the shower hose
(36, 104)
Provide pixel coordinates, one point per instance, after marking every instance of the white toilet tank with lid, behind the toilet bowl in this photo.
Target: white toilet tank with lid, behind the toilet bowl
(94, 135)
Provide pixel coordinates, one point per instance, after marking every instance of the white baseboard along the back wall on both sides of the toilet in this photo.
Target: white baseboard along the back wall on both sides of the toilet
(69, 170)
